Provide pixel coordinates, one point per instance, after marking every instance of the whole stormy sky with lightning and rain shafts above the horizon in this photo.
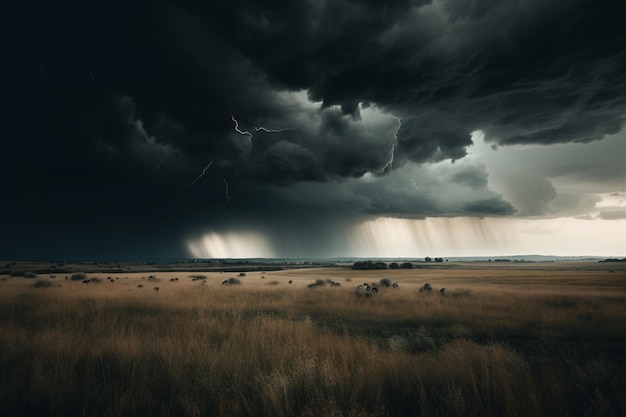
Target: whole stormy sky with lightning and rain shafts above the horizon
(312, 128)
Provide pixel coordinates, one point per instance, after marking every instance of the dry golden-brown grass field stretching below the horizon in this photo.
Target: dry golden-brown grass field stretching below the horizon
(531, 339)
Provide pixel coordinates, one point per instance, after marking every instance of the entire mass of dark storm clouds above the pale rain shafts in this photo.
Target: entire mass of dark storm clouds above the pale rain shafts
(126, 114)
